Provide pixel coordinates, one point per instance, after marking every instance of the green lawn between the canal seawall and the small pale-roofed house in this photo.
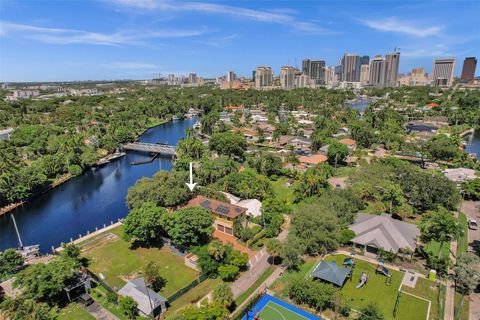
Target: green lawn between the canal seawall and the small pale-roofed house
(115, 259)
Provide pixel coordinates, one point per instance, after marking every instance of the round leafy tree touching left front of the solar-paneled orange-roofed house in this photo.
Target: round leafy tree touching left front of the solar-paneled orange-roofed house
(189, 226)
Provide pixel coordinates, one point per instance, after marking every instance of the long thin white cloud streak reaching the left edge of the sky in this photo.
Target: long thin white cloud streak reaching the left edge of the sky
(72, 36)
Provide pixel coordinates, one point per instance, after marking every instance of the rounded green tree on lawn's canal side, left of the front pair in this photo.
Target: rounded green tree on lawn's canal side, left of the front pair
(144, 224)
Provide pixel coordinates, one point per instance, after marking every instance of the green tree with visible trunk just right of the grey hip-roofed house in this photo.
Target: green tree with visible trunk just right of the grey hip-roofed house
(440, 226)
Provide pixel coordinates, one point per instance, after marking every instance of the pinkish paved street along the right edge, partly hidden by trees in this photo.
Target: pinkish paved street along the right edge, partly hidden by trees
(472, 210)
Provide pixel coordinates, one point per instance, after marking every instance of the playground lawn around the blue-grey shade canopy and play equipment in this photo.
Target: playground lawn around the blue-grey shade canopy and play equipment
(376, 291)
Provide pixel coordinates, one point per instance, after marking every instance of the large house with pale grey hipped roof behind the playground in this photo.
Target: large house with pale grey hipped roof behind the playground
(374, 232)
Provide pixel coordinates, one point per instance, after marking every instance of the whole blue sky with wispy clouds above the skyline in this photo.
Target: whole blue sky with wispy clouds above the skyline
(136, 39)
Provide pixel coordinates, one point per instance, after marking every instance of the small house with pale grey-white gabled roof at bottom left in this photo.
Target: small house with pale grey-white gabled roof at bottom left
(148, 302)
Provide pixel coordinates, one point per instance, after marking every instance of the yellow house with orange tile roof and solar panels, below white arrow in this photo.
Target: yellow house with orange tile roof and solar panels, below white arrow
(224, 213)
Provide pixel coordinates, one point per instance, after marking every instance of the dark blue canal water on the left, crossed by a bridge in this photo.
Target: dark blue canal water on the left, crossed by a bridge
(88, 201)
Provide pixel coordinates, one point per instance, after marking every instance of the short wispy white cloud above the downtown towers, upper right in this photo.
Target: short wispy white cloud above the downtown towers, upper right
(410, 28)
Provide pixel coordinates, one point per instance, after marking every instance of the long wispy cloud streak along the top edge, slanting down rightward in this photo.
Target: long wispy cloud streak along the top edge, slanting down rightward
(279, 16)
